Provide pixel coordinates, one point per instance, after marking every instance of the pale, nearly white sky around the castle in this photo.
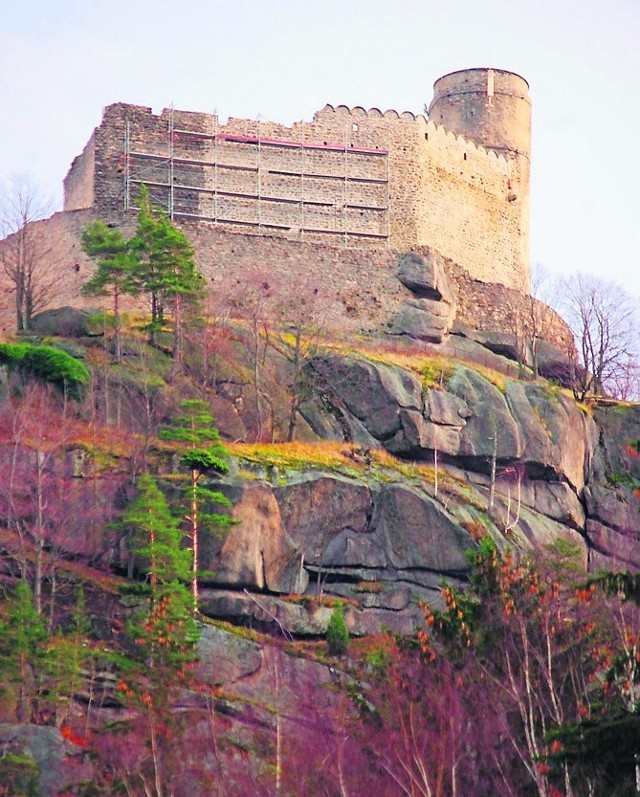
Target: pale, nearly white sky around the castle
(62, 61)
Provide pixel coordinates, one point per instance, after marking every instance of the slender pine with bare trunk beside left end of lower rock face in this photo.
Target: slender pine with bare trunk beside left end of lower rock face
(206, 455)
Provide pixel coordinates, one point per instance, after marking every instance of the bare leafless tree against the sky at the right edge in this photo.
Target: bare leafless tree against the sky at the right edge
(604, 320)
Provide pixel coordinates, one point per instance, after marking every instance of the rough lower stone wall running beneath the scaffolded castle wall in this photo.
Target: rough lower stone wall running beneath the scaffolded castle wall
(362, 283)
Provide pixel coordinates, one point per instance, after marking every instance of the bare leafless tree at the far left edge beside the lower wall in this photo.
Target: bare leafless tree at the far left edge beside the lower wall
(25, 254)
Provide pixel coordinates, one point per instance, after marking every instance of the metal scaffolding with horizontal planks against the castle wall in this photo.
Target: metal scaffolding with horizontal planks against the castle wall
(341, 191)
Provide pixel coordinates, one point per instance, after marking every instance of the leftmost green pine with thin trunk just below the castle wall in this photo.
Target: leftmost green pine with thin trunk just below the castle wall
(114, 275)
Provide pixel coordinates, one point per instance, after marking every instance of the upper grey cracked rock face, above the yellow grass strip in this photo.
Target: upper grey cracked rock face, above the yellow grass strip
(468, 418)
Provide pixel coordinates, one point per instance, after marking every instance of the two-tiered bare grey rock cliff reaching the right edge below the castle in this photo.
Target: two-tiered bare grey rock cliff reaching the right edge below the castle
(519, 461)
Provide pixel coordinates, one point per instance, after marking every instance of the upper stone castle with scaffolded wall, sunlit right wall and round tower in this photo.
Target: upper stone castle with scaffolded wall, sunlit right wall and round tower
(457, 181)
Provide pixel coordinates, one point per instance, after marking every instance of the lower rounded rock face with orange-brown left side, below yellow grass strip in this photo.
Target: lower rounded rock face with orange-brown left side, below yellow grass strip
(328, 533)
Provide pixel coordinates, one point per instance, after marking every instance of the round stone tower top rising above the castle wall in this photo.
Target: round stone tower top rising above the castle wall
(489, 106)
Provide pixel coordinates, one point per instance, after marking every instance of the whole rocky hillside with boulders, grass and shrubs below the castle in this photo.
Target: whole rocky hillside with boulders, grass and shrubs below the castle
(408, 454)
